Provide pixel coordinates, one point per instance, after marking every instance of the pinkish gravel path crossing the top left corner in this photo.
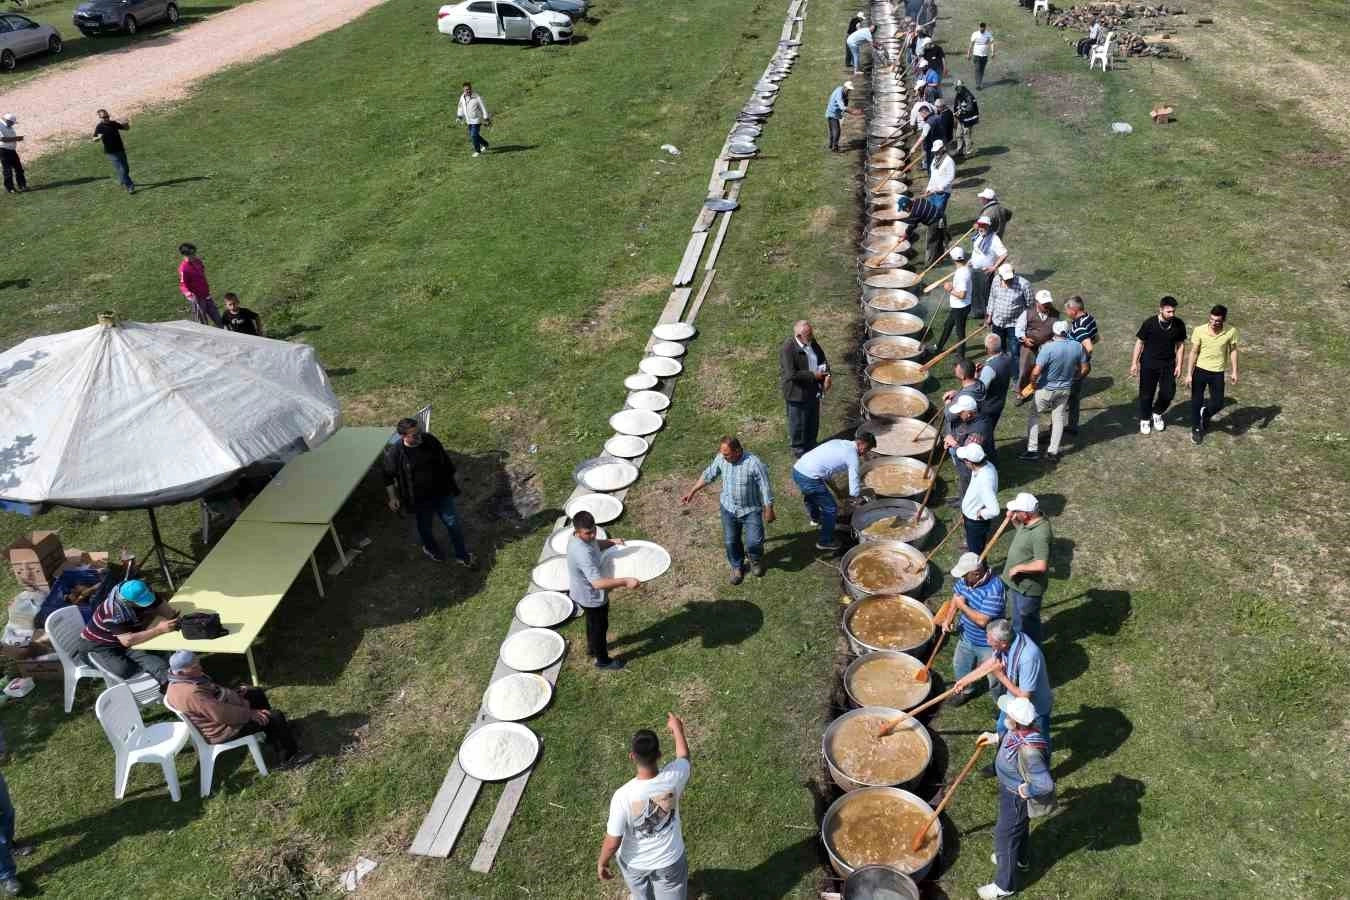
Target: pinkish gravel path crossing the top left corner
(59, 107)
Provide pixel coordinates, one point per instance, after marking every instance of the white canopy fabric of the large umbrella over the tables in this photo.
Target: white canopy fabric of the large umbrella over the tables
(141, 415)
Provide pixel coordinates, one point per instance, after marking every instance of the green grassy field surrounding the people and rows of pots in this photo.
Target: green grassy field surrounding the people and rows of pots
(1193, 642)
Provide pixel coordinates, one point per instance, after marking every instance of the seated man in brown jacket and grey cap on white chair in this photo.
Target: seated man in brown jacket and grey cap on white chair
(223, 714)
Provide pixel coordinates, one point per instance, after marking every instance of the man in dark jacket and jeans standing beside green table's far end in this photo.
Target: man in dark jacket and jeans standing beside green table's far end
(421, 477)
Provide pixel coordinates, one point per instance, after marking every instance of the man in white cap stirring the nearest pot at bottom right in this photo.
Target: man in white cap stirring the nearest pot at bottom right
(1023, 764)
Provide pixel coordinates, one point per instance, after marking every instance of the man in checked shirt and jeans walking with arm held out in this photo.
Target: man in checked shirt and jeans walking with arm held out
(747, 504)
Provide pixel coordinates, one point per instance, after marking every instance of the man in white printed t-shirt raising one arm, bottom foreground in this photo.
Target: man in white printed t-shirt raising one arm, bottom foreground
(645, 826)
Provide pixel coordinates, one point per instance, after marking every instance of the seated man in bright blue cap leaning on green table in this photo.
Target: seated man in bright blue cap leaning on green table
(128, 619)
